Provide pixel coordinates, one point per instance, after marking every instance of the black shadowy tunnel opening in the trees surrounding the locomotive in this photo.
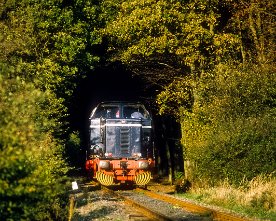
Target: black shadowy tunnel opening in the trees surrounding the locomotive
(114, 83)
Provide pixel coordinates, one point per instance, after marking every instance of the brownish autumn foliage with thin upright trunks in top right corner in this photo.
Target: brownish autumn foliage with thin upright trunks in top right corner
(254, 24)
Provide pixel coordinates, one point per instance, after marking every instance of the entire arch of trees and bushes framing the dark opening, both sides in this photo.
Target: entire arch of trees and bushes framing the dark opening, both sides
(213, 64)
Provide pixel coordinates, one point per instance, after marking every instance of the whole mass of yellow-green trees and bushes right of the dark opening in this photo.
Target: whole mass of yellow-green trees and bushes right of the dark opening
(226, 113)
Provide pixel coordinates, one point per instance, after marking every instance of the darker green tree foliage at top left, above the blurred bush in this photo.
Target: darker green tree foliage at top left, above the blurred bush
(50, 41)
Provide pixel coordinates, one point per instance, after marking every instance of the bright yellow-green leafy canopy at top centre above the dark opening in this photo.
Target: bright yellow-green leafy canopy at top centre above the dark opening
(145, 29)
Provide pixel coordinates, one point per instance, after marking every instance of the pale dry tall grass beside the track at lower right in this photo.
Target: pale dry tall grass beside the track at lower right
(254, 198)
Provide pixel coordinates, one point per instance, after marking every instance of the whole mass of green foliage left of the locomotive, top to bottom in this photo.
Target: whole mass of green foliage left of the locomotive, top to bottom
(48, 47)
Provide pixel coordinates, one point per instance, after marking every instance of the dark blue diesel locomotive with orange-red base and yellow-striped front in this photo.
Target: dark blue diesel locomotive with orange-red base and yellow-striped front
(121, 145)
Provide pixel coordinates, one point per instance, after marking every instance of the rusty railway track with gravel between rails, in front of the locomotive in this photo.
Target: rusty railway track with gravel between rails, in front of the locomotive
(148, 205)
